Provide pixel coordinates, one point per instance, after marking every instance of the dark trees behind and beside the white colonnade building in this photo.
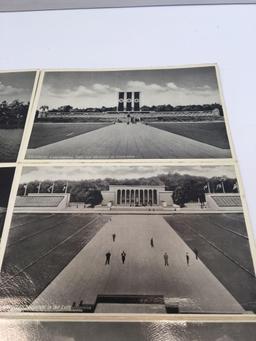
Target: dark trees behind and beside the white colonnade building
(186, 188)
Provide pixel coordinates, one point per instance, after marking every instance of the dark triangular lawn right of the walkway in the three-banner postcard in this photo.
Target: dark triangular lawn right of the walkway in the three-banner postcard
(213, 133)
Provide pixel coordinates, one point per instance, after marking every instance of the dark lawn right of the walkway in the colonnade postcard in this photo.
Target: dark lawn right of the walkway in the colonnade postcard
(221, 250)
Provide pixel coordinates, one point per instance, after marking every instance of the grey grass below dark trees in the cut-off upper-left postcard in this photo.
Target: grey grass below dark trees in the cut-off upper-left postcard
(10, 140)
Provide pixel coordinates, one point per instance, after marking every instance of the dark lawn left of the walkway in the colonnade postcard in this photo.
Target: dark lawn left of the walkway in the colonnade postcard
(38, 250)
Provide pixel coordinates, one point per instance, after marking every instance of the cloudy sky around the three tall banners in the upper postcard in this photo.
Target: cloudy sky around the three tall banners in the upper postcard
(95, 89)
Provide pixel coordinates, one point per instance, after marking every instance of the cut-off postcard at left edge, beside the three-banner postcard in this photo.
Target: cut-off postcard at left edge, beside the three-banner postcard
(15, 96)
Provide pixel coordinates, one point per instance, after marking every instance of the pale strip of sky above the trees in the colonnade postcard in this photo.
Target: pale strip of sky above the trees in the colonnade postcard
(118, 172)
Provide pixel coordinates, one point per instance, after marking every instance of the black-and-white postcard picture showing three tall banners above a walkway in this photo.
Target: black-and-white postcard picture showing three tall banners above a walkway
(130, 114)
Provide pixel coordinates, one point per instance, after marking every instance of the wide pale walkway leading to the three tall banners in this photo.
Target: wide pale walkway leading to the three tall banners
(121, 140)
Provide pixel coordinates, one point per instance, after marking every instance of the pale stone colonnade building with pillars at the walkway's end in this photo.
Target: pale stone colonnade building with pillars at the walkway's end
(132, 195)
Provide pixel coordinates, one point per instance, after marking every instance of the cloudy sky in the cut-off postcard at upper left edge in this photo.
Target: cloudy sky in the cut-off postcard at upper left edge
(16, 85)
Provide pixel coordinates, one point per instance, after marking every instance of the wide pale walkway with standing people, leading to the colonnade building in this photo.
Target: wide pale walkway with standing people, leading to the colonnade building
(193, 286)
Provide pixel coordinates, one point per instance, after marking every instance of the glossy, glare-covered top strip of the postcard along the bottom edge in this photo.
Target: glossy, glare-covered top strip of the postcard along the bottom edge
(25, 330)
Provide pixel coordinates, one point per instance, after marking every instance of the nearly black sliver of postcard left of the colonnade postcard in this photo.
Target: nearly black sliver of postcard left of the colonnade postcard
(6, 178)
